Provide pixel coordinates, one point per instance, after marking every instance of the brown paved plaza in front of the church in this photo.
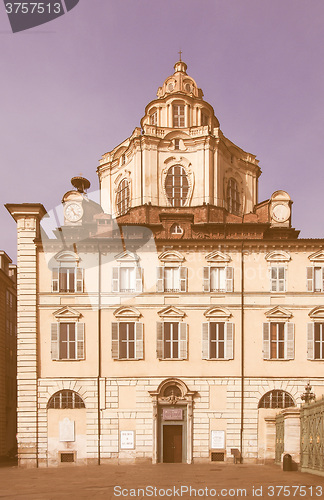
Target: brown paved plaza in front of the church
(158, 481)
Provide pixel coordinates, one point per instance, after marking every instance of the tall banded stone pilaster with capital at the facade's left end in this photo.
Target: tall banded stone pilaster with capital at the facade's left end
(28, 217)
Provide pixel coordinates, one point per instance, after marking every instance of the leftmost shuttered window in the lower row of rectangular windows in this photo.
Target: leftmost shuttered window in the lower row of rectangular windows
(67, 341)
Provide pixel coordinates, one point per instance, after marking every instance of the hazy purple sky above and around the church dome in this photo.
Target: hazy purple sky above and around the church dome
(76, 87)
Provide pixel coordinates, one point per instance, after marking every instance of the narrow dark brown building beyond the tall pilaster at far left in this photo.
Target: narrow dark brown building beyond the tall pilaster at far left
(8, 346)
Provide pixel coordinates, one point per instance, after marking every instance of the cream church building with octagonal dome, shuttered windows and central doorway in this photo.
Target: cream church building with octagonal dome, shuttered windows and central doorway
(173, 321)
